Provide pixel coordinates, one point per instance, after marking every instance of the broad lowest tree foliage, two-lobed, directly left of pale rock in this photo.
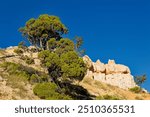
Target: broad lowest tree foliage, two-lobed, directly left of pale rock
(68, 65)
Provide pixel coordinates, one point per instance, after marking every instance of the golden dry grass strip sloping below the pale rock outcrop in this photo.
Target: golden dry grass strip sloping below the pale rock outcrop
(100, 89)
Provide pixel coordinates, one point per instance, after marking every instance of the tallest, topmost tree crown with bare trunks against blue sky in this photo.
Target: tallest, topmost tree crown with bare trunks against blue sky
(39, 31)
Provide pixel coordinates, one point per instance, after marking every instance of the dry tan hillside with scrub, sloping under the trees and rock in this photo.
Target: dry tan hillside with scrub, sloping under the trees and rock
(14, 83)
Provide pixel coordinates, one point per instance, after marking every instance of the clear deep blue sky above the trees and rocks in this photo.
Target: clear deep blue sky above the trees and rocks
(112, 29)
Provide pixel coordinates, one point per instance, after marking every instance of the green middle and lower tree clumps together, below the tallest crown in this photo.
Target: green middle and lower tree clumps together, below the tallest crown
(63, 62)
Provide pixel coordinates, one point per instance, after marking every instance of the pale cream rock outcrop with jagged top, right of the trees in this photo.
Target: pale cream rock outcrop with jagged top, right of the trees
(111, 73)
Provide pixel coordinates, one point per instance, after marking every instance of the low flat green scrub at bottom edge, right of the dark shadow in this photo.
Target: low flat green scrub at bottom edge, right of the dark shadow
(108, 97)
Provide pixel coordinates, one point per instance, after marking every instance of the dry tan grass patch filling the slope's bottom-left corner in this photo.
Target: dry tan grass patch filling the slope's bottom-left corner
(15, 87)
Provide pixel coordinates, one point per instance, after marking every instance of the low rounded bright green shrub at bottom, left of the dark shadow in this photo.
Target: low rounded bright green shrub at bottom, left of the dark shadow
(48, 91)
